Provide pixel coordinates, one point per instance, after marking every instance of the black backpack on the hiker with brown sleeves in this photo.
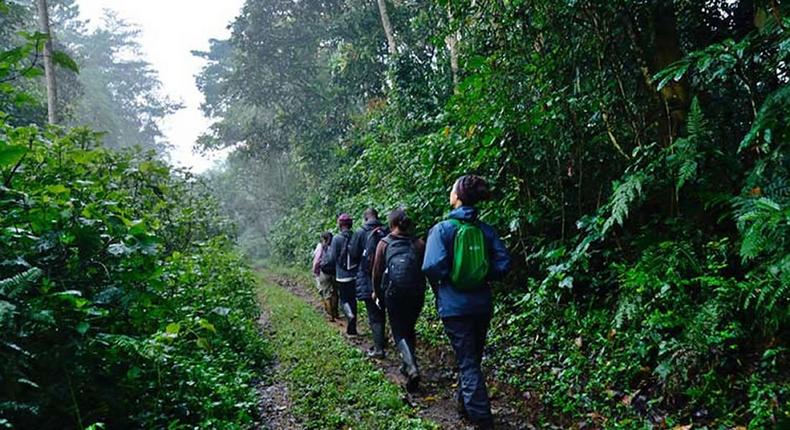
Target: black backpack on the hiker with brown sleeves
(403, 273)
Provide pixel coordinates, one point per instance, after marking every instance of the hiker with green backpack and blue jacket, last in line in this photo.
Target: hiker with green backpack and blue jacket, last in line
(462, 256)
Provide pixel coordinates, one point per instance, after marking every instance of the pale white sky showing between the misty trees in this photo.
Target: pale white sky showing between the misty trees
(171, 29)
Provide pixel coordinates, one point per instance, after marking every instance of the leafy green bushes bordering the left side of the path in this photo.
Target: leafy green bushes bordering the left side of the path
(123, 303)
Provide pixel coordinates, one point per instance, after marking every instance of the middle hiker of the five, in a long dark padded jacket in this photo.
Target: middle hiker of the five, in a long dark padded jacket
(363, 247)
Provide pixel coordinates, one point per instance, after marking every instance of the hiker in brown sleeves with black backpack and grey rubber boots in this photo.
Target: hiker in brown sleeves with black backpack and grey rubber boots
(400, 288)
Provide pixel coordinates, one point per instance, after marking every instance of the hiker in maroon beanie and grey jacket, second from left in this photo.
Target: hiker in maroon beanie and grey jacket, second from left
(345, 272)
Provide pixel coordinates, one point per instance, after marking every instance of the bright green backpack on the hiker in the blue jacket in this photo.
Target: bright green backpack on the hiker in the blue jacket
(470, 257)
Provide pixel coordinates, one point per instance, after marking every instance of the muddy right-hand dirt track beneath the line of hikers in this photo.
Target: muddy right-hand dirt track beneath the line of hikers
(435, 399)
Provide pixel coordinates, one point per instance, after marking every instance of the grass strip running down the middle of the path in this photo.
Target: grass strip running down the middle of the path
(332, 386)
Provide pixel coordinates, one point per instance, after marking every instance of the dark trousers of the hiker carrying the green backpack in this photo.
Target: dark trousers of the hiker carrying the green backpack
(468, 338)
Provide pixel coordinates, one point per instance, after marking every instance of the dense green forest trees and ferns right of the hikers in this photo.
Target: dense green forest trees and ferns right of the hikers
(639, 152)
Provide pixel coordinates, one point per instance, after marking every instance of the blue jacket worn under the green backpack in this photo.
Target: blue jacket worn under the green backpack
(438, 263)
